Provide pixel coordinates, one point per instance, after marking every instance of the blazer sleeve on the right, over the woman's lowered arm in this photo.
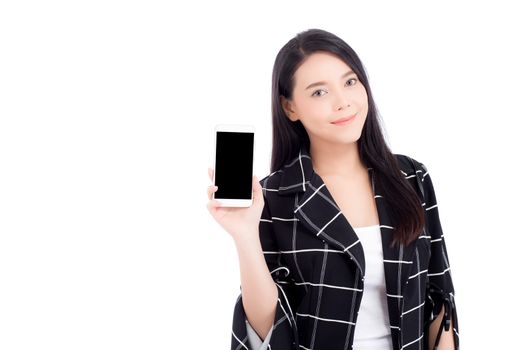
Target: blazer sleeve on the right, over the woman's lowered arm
(440, 289)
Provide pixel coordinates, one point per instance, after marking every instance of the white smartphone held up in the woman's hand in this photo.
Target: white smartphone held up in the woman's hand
(234, 151)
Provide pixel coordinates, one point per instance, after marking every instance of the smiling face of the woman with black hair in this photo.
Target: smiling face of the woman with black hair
(338, 94)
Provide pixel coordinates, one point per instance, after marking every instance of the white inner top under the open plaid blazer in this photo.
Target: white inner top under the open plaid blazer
(372, 330)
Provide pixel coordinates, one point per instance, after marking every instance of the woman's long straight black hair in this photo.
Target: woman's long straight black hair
(289, 137)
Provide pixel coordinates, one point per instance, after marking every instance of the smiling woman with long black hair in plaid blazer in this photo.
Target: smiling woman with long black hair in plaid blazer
(342, 247)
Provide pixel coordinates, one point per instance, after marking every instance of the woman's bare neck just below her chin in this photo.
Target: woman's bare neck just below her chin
(336, 159)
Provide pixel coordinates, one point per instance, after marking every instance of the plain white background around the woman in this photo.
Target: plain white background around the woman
(107, 111)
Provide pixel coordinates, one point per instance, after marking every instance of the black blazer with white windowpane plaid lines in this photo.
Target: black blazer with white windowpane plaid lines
(318, 265)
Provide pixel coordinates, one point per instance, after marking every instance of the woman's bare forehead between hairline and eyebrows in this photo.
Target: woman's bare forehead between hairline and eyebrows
(320, 66)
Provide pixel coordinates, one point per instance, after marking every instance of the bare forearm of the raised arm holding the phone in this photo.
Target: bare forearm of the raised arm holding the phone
(259, 292)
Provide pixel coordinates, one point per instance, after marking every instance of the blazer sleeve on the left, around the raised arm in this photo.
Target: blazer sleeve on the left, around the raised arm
(284, 331)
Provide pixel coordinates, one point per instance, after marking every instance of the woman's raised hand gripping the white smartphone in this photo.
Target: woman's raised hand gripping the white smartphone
(240, 223)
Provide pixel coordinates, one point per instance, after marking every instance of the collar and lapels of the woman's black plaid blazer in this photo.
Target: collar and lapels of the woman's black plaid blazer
(317, 210)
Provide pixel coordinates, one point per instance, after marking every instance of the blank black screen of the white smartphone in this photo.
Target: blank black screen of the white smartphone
(234, 165)
